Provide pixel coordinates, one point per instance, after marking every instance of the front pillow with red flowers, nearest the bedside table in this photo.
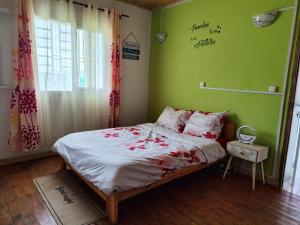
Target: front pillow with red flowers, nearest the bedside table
(205, 124)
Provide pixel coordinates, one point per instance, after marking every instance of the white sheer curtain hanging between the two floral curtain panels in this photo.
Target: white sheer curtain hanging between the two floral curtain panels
(72, 49)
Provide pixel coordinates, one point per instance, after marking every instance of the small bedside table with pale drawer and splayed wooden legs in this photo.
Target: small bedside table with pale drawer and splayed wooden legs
(253, 153)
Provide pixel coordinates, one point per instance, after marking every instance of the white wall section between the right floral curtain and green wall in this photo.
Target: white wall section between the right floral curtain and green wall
(134, 102)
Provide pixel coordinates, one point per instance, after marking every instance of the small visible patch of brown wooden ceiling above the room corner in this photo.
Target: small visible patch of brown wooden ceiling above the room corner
(150, 4)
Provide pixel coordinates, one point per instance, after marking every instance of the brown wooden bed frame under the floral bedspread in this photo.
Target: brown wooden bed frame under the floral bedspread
(112, 200)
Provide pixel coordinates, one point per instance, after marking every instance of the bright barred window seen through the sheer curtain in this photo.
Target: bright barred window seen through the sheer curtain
(65, 64)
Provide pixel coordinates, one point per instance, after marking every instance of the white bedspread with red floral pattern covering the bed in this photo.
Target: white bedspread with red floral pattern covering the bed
(120, 159)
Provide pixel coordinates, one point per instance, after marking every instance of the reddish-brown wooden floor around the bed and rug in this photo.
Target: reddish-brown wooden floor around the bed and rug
(201, 198)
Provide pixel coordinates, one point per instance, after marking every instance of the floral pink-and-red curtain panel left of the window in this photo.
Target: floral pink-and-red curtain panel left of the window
(24, 131)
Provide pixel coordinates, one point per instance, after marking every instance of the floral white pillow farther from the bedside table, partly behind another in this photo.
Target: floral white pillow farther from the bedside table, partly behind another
(174, 119)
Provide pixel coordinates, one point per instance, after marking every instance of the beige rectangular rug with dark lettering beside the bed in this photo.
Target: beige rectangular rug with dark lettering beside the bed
(67, 202)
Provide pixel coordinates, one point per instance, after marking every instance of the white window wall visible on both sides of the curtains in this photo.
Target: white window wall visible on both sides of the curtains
(134, 105)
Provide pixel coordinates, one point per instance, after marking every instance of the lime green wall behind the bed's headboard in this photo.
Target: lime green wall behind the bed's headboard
(244, 57)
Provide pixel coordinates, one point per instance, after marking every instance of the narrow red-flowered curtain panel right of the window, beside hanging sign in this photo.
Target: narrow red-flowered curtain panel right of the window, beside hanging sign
(115, 79)
